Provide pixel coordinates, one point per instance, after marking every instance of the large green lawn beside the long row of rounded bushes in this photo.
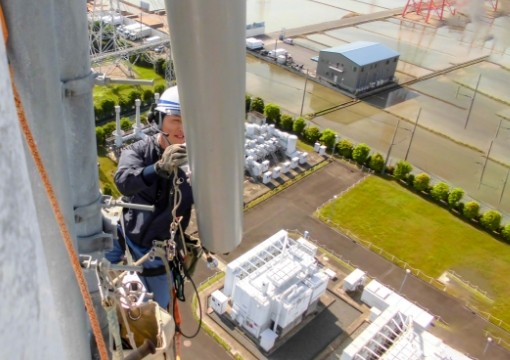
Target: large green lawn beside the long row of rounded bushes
(424, 235)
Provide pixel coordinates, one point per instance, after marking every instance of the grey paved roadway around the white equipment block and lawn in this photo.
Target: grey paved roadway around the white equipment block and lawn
(293, 209)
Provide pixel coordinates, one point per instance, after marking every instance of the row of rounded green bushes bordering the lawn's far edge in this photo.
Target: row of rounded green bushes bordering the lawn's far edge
(362, 154)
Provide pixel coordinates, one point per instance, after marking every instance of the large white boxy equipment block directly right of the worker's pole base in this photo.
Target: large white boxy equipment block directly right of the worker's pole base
(272, 287)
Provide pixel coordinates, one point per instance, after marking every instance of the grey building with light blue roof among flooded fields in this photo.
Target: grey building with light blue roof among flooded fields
(358, 67)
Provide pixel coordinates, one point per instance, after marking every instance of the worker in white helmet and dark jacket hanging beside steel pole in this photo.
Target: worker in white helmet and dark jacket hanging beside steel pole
(146, 174)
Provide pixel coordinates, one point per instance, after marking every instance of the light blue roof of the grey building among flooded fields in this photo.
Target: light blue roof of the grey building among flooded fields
(364, 52)
